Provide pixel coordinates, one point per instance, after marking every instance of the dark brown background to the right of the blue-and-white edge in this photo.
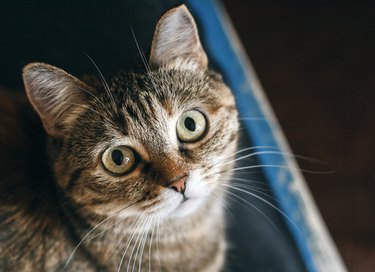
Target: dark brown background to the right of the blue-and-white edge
(316, 62)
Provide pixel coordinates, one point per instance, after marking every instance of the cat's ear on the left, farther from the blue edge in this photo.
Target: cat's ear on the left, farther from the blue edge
(56, 95)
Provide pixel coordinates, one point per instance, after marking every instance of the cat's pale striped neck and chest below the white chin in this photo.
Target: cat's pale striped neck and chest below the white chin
(171, 243)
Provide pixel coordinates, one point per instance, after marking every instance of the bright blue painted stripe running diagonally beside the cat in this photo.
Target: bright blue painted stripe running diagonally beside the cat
(223, 52)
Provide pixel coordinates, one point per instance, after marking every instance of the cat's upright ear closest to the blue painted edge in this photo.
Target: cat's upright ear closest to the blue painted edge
(176, 36)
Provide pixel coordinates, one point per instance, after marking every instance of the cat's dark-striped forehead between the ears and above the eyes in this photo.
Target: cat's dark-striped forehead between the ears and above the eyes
(150, 104)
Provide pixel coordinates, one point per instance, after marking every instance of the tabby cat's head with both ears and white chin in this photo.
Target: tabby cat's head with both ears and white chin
(155, 142)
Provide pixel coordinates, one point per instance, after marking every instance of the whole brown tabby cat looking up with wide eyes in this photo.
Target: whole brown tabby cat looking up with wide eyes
(124, 176)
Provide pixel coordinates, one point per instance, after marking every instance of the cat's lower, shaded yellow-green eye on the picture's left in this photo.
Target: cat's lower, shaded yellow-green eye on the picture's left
(118, 160)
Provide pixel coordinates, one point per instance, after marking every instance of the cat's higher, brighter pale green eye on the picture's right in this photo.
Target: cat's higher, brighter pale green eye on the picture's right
(191, 126)
